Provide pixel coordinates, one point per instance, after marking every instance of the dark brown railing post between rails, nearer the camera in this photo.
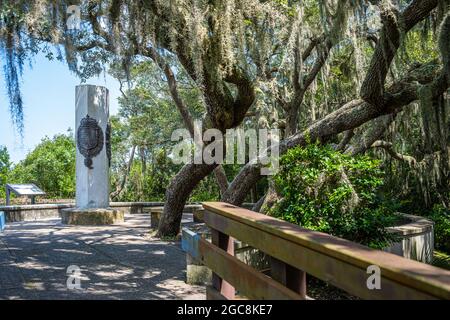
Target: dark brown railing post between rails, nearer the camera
(289, 276)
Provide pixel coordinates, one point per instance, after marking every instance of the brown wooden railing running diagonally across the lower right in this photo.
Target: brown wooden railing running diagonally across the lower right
(295, 252)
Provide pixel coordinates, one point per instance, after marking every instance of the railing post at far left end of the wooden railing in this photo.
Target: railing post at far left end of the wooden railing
(224, 242)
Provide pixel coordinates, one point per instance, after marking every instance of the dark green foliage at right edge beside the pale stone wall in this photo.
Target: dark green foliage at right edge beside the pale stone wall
(441, 218)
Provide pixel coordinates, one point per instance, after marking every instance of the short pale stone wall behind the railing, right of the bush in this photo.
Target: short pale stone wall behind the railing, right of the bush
(416, 239)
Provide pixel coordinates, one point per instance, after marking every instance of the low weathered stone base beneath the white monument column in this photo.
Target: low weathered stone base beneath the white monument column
(91, 217)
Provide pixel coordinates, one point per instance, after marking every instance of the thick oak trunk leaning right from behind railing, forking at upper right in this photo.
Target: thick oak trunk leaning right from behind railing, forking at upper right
(377, 100)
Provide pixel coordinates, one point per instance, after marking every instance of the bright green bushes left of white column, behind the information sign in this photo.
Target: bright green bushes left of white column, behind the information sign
(51, 166)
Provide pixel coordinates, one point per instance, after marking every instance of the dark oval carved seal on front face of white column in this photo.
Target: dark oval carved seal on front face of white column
(89, 139)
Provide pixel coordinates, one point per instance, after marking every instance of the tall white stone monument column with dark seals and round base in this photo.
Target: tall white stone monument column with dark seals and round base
(92, 159)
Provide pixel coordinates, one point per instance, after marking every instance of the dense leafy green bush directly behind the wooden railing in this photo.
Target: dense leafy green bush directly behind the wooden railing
(331, 192)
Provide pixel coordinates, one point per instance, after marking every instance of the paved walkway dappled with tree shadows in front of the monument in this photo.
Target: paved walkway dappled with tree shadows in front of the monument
(116, 262)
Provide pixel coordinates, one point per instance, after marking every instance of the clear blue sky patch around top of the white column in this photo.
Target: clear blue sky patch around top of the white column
(48, 90)
